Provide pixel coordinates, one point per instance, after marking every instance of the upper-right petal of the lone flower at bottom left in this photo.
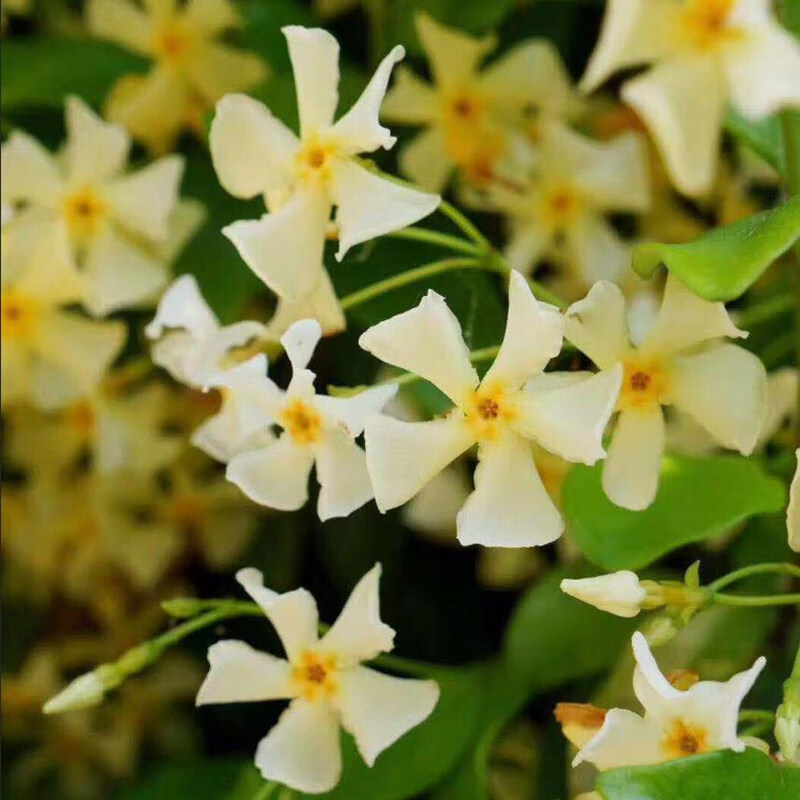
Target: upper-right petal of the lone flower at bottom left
(358, 633)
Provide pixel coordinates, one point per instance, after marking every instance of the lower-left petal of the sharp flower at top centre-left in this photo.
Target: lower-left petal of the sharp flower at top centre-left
(285, 248)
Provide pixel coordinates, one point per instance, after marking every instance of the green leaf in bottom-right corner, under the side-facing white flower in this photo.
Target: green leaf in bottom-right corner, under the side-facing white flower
(751, 775)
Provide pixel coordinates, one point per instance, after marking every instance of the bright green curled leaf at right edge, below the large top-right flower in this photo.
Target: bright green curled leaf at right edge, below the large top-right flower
(723, 263)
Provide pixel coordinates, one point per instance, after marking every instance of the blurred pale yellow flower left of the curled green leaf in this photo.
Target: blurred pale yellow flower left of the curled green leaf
(559, 212)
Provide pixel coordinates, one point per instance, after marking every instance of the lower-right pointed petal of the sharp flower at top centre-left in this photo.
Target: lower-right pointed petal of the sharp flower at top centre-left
(369, 205)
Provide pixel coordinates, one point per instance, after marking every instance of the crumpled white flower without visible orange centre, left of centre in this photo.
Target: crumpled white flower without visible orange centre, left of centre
(190, 343)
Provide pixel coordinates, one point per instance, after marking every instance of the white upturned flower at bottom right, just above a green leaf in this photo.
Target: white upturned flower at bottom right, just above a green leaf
(675, 723)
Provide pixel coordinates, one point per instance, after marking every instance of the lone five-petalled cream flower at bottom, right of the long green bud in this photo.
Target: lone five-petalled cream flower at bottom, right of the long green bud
(325, 680)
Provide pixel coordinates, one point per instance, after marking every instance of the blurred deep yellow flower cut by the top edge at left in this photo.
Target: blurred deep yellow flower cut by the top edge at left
(192, 68)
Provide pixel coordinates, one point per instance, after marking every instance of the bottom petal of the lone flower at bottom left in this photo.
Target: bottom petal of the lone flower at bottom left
(302, 750)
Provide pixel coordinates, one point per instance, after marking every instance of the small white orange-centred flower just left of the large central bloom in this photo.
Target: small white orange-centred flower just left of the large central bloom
(317, 429)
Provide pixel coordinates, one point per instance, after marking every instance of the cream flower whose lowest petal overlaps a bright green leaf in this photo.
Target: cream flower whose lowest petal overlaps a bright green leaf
(682, 362)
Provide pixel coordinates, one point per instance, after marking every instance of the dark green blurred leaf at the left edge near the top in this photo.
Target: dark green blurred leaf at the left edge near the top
(41, 72)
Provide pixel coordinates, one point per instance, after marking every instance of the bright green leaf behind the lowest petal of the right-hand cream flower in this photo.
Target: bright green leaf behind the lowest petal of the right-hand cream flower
(698, 498)
